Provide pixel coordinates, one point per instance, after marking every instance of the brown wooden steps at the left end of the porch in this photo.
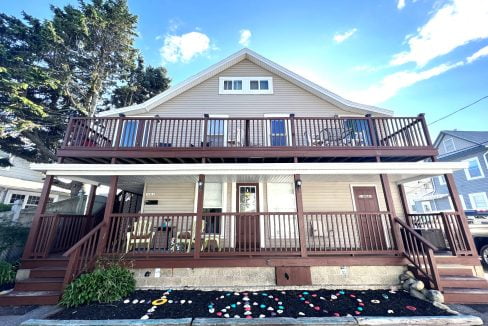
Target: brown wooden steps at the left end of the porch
(44, 285)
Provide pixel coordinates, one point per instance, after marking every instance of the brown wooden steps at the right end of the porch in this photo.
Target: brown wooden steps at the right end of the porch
(459, 282)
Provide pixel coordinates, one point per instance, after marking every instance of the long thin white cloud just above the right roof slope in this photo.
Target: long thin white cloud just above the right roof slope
(393, 83)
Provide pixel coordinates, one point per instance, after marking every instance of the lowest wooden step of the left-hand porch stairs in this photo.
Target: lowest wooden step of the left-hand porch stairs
(24, 298)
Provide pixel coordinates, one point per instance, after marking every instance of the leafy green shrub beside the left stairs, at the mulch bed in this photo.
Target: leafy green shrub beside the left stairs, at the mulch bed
(104, 284)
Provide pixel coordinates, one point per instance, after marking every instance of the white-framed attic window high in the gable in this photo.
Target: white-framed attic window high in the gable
(246, 85)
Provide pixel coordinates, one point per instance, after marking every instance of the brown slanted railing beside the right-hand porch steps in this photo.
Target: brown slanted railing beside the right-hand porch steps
(420, 253)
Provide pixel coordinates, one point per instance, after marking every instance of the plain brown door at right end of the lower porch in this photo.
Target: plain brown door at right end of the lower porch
(371, 231)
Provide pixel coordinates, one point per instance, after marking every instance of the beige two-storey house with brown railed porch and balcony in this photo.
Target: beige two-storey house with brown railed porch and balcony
(248, 175)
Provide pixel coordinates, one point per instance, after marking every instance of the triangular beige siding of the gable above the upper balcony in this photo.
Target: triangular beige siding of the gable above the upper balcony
(286, 98)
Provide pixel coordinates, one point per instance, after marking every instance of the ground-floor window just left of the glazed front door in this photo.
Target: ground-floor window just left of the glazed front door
(212, 203)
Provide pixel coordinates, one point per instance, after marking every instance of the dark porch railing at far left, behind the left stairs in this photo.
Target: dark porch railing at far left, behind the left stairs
(57, 233)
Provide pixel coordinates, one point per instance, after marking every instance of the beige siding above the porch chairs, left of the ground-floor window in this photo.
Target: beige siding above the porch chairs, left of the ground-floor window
(175, 197)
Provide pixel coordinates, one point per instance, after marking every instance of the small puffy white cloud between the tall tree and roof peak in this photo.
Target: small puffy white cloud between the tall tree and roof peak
(184, 47)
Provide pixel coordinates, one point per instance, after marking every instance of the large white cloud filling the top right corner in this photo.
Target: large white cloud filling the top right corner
(450, 27)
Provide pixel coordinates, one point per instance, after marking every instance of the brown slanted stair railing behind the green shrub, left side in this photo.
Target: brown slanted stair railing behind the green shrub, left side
(82, 255)
